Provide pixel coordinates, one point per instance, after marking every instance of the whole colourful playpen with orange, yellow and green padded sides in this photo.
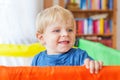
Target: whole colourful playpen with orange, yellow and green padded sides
(15, 63)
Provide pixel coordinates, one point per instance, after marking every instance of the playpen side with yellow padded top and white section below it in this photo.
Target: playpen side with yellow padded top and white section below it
(18, 55)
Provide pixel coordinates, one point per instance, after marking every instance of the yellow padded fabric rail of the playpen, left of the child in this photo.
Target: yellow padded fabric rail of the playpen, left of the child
(20, 50)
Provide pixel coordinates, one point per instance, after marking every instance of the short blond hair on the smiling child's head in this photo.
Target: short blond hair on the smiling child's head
(50, 15)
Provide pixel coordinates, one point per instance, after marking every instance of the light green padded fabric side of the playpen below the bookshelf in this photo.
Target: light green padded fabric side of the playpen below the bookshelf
(98, 51)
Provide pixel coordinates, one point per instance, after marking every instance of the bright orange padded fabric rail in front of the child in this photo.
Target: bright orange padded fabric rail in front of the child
(58, 73)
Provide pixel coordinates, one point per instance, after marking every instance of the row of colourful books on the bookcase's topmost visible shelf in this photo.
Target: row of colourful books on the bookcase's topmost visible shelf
(93, 4)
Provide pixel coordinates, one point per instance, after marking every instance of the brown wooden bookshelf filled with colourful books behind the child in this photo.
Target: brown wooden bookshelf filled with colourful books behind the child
(107, 37)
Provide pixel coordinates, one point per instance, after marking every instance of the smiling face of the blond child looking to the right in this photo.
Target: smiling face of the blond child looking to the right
(59, 37)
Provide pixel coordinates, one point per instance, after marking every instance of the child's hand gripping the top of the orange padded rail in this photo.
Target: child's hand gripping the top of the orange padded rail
(93, 66)
